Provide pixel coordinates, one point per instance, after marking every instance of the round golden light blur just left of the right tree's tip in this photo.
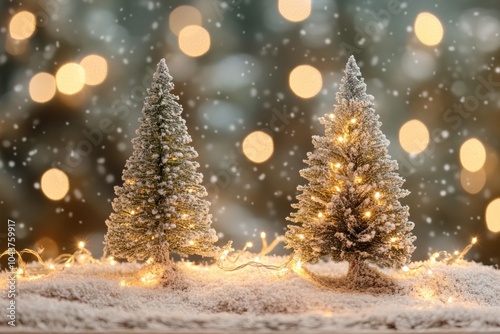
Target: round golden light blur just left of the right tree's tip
(305, 81)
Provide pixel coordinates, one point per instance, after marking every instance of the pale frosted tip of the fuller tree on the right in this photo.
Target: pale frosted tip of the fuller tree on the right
(352, 86)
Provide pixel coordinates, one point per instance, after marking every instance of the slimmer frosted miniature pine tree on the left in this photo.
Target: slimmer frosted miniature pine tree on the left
(160, 206)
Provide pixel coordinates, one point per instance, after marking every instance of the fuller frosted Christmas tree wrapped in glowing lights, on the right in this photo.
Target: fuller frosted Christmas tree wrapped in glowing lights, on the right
(350, 209)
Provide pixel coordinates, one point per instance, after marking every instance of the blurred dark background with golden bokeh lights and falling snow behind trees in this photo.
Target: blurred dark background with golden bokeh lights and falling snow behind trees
(253, 77)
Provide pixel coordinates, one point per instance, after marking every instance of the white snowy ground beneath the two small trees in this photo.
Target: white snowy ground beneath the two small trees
(459, 297)
